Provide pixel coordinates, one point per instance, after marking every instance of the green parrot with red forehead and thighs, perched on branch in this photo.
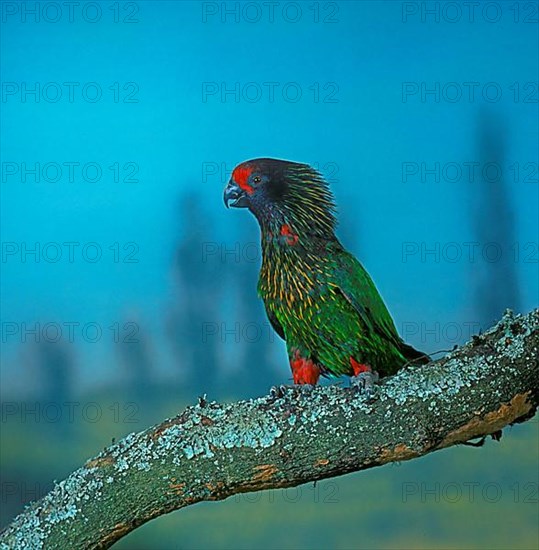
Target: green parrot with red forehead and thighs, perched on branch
(318, 297)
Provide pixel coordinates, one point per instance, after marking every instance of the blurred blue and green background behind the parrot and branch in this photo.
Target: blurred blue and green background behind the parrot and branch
(194, 277)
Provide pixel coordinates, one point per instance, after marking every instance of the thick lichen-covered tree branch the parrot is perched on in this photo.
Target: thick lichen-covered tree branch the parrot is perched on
(212, 451)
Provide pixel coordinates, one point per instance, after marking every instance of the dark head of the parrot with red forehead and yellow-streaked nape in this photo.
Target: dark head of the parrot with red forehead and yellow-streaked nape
(280, 191)
